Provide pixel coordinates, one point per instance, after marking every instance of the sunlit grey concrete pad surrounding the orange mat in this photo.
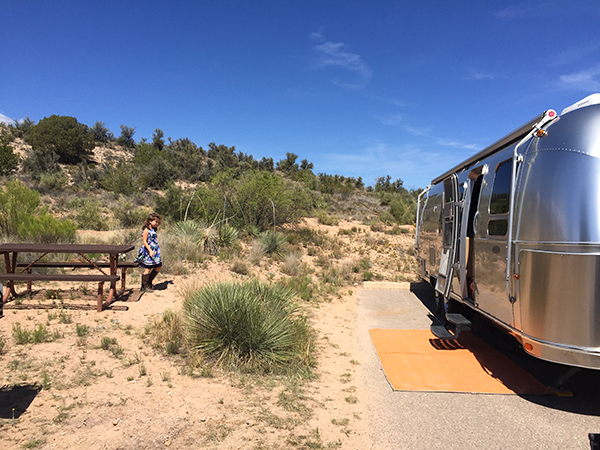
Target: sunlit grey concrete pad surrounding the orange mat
(424, 421)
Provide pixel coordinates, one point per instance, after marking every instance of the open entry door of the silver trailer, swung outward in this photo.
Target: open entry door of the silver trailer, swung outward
(449, 234)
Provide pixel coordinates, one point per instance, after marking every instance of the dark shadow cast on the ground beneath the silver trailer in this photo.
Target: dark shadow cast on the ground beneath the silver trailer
(581, 394)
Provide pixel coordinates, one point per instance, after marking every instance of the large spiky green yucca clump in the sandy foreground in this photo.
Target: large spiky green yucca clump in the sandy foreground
(251, 326)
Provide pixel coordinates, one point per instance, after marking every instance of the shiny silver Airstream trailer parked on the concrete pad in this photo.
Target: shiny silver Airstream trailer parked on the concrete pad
(514, 233)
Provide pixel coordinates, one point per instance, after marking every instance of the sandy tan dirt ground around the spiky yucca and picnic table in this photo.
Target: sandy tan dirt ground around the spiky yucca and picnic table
(71, 393)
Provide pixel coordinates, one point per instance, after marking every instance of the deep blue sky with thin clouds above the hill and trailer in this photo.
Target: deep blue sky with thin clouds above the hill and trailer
(372, 88)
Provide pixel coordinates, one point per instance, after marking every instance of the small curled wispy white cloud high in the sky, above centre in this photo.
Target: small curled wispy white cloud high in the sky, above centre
(335, 54)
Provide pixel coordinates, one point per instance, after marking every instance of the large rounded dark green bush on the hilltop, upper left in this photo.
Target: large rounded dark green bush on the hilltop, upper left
(70, 140)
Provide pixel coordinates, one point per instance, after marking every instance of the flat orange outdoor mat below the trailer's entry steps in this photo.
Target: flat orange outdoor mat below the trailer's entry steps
(416, 360)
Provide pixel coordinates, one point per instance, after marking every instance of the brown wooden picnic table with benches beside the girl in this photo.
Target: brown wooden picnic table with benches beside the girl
(86, 251)
